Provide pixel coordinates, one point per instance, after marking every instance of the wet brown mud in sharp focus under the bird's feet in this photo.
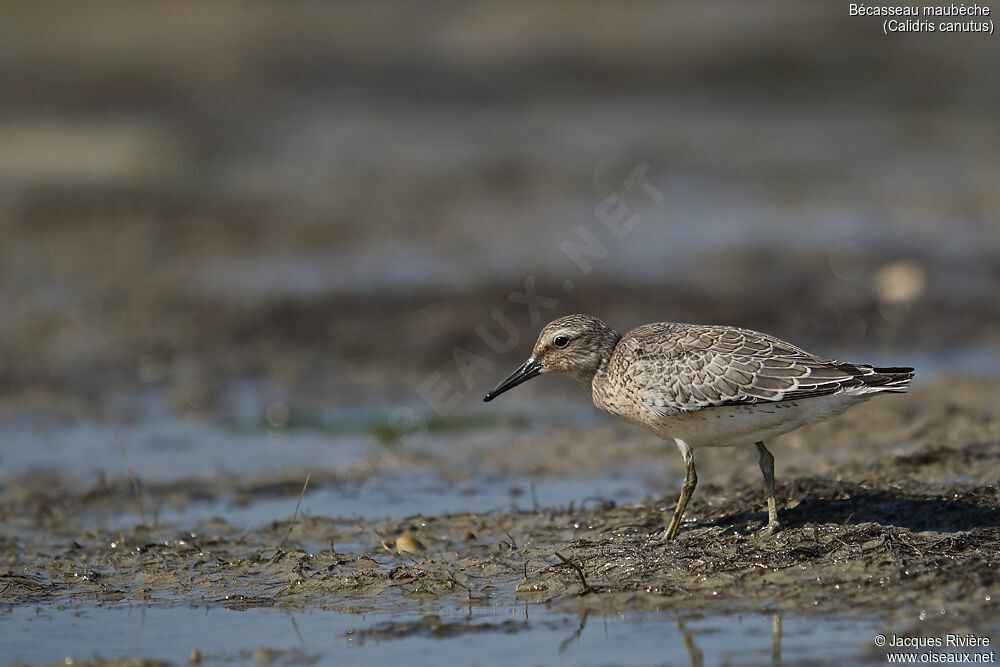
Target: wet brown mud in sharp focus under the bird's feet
(908, 530)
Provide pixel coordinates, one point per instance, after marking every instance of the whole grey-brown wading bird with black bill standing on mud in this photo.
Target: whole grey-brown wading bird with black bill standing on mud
(703, 386)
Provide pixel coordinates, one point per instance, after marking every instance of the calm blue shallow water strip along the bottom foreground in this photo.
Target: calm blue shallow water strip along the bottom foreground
(452, 635)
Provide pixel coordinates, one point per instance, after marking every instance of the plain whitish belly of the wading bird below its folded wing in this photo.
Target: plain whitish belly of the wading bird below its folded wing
(746, 424)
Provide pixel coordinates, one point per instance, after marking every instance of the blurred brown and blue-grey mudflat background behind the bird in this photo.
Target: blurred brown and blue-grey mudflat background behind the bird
(250, 237)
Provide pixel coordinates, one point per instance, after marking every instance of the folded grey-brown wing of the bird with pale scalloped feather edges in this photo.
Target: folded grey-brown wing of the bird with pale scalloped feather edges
(681, 368)
